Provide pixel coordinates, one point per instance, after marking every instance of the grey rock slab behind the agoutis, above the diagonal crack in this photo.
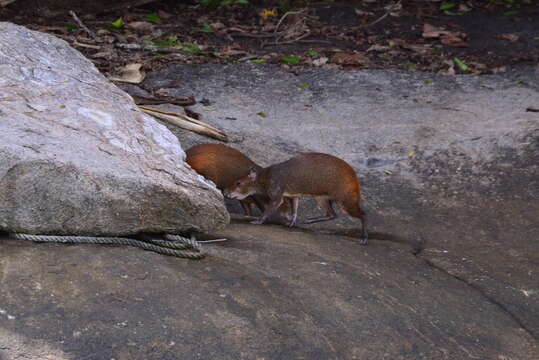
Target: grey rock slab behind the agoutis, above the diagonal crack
(449, 165)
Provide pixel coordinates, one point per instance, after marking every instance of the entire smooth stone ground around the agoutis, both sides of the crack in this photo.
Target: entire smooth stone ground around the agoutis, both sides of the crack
(449, 167)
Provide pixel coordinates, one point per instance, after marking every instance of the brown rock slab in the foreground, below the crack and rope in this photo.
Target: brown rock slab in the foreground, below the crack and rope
(269, 293)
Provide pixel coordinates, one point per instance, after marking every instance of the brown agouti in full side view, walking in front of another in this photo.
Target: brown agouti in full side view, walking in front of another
(325, 177)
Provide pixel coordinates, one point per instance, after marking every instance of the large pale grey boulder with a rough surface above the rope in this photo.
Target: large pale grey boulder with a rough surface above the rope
(77, 157)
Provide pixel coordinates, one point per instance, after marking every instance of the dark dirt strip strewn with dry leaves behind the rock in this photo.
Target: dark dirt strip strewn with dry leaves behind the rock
(470, 37)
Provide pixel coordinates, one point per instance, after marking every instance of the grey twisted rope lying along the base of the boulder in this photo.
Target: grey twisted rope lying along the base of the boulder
(176, 247)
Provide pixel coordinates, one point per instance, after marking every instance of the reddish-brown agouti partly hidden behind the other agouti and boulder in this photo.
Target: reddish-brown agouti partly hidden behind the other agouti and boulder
(224, 165)
